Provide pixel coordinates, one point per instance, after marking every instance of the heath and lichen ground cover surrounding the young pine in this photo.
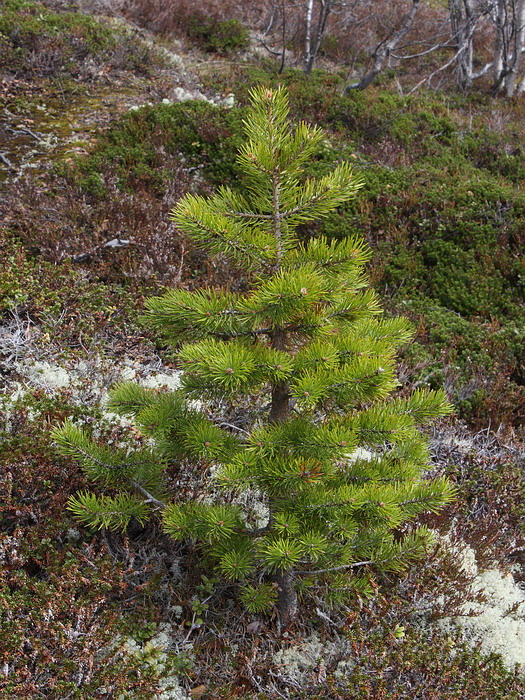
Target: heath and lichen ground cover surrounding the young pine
(100, 140)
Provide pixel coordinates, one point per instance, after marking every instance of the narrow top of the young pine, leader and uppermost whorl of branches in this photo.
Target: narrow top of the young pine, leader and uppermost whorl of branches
(258, 228)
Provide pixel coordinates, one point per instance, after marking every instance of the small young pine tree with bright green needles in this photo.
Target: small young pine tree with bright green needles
(337, 464)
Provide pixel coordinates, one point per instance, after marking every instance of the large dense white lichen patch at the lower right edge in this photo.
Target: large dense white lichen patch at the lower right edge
(497, 625)
